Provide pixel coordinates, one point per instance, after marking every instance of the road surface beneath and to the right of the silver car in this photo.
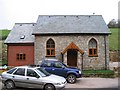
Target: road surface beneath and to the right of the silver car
(87, 84)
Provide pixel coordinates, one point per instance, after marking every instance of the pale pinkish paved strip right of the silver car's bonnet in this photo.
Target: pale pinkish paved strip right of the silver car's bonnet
(95, 83)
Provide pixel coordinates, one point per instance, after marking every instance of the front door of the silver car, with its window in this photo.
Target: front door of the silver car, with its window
(33, 79)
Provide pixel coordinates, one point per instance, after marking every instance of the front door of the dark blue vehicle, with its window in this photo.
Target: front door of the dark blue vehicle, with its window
(58, 69)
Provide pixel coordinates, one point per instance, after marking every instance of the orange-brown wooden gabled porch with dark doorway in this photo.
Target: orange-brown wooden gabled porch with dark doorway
(72, 55)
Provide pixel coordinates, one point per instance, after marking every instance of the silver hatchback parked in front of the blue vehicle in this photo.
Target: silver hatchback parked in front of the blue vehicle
(32, 77)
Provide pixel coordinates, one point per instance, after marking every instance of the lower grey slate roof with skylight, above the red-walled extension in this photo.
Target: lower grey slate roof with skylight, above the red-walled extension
(21, 33)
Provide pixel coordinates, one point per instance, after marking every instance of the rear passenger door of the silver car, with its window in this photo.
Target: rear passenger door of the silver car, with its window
(19, 77)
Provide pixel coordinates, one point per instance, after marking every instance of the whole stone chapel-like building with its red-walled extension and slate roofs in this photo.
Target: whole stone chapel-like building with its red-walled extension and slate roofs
(77, 40)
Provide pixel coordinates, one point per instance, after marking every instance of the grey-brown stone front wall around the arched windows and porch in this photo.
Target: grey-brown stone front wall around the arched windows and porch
(62, 41)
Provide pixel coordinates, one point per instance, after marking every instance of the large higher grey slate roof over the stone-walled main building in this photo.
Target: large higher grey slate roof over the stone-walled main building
(71, 24)
